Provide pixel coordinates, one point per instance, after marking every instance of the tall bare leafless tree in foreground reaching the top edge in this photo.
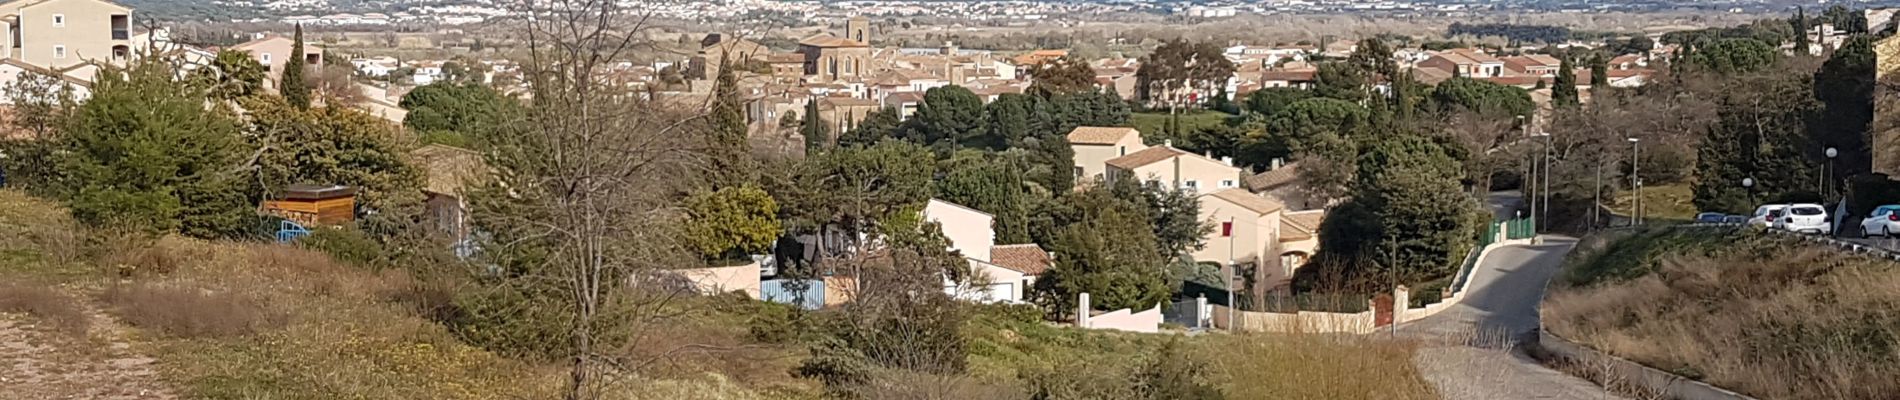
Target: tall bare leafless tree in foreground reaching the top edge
(584, 206)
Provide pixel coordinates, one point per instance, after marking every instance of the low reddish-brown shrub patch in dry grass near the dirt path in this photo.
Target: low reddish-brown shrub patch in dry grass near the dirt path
(189, 314)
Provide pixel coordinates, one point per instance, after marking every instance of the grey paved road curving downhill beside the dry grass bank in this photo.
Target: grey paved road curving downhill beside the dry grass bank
(1470, 350)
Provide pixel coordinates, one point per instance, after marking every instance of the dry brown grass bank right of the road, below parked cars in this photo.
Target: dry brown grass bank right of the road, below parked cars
(1798, 323)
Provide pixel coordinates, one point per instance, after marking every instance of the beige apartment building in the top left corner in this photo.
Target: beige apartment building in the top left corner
(66, 33)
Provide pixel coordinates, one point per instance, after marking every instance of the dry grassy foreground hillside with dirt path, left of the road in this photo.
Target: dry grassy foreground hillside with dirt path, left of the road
(229, 319)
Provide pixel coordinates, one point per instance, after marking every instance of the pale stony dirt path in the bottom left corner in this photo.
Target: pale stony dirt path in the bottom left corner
(43, 363)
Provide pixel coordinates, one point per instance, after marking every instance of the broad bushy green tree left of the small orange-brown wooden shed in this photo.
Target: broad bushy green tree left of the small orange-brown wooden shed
(145, 155)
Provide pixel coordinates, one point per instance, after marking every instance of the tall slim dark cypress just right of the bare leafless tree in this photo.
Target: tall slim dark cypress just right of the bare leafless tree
(732, 162)
